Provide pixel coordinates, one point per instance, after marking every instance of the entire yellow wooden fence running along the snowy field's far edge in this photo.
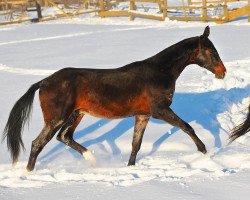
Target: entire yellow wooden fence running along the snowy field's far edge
(15, 11)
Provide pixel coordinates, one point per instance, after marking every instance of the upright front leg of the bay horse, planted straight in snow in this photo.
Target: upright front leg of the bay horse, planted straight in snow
(140, 126)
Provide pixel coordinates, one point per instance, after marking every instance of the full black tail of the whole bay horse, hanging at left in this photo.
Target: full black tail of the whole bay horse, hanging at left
(19, 115)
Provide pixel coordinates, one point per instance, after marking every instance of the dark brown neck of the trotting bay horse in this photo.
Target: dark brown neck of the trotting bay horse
(175, 58)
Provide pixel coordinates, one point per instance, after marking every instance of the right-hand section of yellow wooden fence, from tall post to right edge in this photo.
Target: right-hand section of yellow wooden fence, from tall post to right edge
(190, 10)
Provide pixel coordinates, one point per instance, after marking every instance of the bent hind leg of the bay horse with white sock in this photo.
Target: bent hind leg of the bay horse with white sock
(66, 136)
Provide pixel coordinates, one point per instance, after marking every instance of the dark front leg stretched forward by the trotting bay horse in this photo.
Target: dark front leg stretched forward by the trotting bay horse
(165, 113)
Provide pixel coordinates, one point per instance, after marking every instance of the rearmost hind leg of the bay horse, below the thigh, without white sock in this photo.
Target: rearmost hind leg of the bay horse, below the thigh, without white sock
(43, 138)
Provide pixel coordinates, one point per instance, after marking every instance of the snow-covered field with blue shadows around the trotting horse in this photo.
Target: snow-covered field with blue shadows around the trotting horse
(168, 164)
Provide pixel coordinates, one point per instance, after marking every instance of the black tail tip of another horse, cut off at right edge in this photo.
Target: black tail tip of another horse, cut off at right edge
(241, 129)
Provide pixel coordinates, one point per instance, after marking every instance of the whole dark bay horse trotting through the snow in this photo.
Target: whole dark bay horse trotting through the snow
(142, 89)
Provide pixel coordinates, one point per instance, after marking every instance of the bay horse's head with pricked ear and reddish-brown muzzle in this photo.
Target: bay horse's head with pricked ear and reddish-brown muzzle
(208, 57)
